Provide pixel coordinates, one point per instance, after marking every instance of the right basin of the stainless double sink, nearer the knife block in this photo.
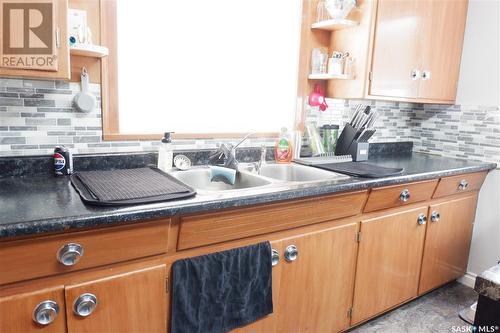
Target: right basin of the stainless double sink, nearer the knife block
(297, 173)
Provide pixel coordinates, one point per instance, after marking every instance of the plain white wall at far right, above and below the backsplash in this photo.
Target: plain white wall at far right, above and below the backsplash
(479, 84)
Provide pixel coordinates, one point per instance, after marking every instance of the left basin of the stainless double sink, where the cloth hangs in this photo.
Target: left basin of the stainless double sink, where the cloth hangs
(199, 179)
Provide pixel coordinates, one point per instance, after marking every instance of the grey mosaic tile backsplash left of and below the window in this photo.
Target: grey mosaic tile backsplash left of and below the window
(36, 115)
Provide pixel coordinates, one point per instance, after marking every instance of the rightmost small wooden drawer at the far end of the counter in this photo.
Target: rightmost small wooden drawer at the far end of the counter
(461, 183)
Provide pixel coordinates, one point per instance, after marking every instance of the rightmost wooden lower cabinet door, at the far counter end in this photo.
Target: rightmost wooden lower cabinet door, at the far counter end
(447, 242)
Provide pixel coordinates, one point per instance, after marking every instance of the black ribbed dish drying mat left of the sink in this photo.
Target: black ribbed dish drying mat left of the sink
(128, 186)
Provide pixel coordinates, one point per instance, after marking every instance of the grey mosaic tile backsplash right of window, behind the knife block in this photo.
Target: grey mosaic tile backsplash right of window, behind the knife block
(466, 132)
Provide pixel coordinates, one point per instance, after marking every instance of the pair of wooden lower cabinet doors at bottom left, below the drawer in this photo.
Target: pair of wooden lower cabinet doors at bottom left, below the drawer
(134, 301)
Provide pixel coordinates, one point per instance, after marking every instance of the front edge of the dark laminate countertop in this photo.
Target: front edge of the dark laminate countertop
(134, 214)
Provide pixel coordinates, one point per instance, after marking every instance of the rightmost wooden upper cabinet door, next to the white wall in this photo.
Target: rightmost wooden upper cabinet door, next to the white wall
(442, 38)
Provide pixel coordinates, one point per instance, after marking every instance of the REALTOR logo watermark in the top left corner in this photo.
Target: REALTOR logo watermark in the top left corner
(28, 36)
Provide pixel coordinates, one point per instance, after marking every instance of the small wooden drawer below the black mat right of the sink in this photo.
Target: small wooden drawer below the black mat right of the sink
(399, 195)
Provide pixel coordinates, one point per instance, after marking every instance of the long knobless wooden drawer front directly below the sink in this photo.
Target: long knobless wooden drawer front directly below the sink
(214, 228)
